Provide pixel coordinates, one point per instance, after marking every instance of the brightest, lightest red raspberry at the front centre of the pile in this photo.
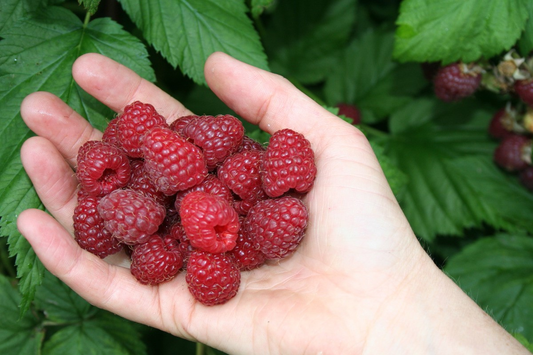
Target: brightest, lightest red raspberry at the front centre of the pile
(210, 222)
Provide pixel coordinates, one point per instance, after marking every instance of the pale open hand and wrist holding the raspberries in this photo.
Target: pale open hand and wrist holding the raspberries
(360, 283)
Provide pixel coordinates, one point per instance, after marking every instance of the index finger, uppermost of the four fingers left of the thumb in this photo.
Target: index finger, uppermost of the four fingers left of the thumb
(116, 86)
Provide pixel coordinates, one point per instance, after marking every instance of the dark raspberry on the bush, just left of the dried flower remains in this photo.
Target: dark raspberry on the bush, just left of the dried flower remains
(456, 81)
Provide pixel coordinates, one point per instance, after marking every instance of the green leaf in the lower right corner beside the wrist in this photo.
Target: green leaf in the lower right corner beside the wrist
(497, 273)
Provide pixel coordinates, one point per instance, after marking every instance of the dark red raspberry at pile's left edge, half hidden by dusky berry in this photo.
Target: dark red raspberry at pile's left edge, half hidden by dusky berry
(89, 230)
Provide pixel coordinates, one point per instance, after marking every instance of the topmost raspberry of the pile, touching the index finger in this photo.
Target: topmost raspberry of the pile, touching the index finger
(133, 123)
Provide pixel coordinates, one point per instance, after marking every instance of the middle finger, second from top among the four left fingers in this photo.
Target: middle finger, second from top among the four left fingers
(49, 117)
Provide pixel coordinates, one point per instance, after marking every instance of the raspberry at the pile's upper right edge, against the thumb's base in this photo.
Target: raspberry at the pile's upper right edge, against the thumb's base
(288, 163)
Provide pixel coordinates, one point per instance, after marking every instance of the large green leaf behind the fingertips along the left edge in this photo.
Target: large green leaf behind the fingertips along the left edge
(37, 55)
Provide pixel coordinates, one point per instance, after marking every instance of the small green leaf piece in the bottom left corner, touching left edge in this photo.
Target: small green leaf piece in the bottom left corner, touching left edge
(18, 335)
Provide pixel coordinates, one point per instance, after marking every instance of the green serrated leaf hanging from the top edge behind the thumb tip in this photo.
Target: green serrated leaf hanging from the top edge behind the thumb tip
(186, 32)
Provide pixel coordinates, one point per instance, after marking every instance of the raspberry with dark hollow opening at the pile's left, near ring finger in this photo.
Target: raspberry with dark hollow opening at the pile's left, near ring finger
(102, 168)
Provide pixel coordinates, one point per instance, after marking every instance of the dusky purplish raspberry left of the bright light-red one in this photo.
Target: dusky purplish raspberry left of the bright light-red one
(131, 216)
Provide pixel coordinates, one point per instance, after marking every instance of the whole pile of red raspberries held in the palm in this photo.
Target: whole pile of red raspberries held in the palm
(197, 196)
